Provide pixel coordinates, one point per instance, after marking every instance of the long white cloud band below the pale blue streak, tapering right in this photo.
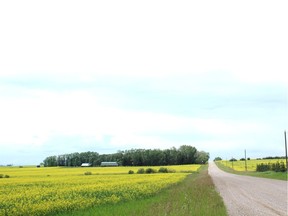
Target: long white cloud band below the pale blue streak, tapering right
(42, 113)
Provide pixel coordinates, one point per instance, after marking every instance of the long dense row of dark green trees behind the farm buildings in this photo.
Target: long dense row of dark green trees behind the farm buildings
(185, 154)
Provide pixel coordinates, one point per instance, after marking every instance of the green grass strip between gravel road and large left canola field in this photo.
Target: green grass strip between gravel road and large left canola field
(196, 195)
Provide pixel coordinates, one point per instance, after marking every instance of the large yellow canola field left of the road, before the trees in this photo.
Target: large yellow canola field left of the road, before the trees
(43, 191)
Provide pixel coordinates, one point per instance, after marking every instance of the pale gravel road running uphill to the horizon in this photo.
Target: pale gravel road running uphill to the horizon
(245, 195)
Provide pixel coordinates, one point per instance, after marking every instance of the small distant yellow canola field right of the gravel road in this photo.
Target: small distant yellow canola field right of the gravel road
(251, 164)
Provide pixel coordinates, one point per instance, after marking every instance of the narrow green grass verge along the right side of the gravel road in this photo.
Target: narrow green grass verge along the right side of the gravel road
(267, 174)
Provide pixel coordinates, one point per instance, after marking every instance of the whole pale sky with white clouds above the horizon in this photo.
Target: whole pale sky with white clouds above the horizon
(104, 76)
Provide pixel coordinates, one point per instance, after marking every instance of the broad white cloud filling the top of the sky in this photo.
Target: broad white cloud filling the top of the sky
(155, 38)
